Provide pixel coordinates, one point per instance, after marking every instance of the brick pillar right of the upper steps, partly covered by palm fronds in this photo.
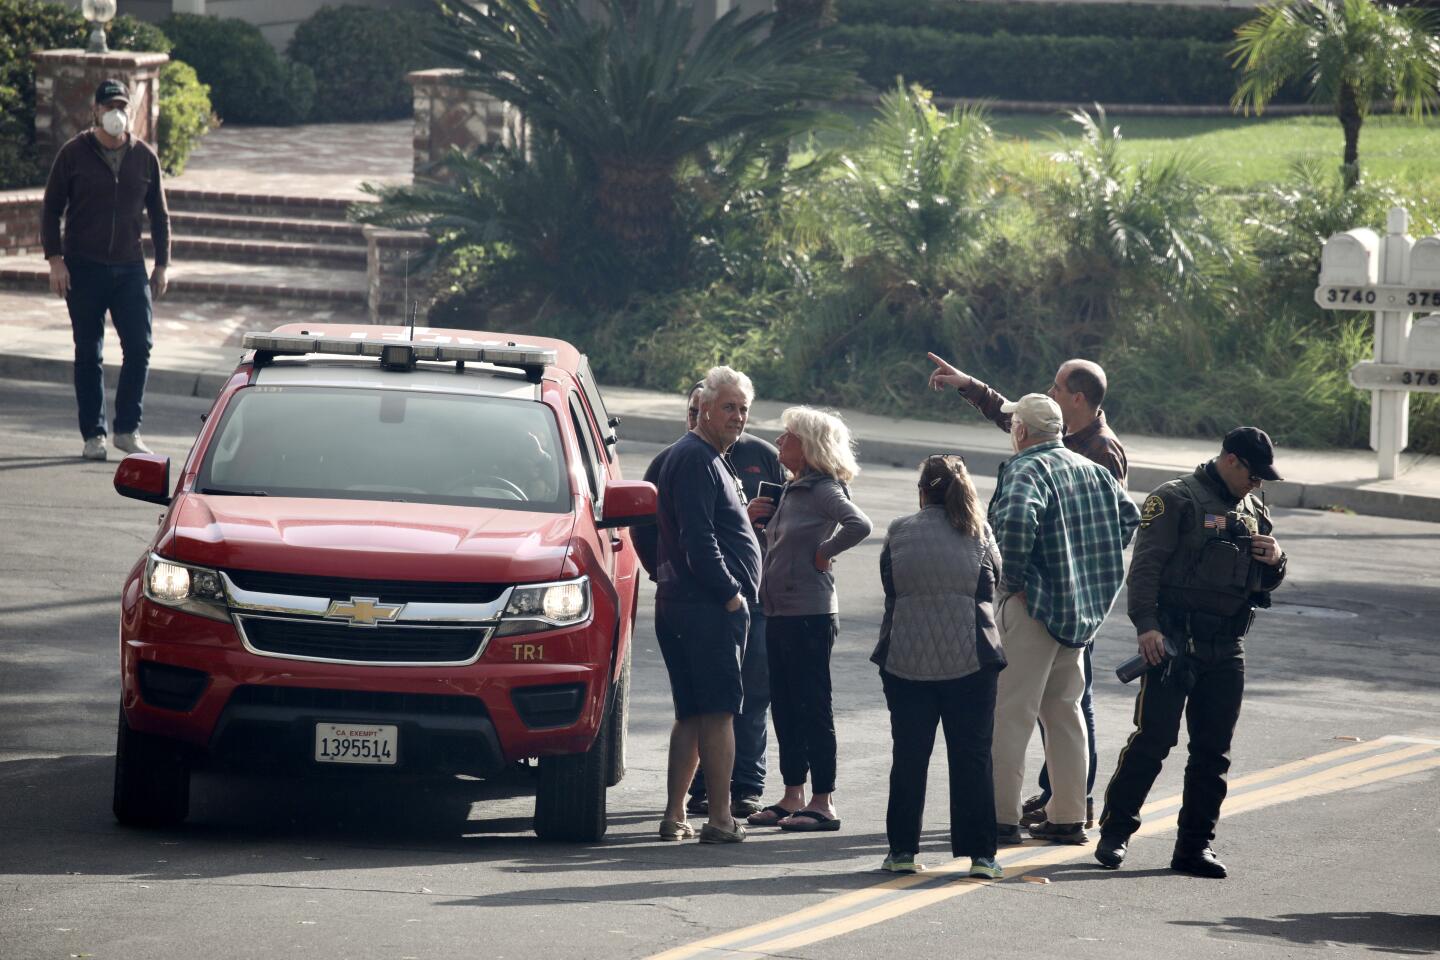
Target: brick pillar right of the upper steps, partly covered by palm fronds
(451, 116)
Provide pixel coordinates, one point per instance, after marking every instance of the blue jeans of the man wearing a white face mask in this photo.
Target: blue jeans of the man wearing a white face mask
(122, 290)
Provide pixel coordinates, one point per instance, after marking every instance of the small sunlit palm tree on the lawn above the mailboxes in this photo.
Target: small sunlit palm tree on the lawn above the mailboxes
(1349, 54)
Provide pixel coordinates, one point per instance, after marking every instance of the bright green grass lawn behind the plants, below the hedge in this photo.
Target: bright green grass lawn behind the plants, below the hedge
(1248, 152)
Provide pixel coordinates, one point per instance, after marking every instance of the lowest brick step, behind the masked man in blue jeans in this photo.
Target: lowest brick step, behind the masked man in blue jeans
(222, 281)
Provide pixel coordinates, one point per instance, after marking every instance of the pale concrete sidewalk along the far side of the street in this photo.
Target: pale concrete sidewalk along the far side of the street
(198, 346)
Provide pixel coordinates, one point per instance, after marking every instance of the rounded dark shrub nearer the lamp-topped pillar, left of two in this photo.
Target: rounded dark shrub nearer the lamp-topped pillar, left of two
(250, 83)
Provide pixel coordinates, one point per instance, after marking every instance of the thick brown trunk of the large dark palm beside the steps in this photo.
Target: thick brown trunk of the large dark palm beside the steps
(636, 207)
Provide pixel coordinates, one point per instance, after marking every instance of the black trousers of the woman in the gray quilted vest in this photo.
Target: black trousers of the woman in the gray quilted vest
(966, 707)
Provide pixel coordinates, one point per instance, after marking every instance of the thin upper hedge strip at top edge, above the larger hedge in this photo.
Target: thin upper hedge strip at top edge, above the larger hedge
(1050, 19)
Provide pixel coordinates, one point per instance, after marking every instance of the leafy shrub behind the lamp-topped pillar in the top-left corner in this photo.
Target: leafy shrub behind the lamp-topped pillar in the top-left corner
(25, 28)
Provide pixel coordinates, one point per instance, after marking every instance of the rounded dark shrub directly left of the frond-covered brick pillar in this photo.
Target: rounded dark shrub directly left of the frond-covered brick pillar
(361, 57)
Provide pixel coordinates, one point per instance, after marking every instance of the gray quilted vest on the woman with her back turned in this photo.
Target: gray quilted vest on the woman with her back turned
(940, 621)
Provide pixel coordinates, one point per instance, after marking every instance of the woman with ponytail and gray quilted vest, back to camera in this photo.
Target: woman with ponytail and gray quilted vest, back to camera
(940, 654)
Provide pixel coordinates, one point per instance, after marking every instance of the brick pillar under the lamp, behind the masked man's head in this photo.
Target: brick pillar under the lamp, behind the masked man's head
(66, 86)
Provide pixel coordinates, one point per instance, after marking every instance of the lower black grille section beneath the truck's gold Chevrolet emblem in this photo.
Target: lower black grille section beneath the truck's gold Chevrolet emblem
(318, 640)
